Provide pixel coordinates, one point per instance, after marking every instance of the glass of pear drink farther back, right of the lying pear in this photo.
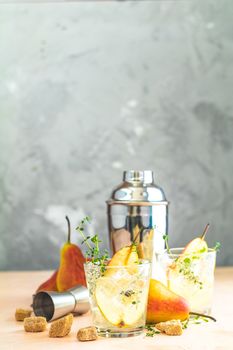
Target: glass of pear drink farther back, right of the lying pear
(189, 272)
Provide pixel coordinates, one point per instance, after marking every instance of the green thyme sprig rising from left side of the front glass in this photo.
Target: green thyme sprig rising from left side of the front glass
(97, 256)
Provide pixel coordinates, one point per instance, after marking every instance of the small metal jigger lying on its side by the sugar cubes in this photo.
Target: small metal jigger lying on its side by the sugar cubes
(53, 305)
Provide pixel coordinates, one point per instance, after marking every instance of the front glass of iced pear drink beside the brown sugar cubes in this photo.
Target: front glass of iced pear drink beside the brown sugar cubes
(118, 296)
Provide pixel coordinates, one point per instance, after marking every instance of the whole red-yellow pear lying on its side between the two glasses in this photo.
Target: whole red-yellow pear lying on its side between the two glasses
(164, 305)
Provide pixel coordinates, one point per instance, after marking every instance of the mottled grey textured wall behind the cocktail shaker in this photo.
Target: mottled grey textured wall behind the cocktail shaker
(90, 89)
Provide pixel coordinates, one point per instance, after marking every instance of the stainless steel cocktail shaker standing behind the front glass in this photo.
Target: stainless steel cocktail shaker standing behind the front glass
(138, 211)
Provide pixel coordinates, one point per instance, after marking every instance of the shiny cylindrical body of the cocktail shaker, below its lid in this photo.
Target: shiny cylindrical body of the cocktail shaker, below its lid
(142, 224)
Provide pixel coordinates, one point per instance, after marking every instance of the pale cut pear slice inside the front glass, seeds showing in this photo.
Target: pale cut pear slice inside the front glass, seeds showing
(121, 307)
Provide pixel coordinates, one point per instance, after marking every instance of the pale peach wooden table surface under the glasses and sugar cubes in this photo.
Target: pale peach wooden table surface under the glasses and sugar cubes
(16, 289)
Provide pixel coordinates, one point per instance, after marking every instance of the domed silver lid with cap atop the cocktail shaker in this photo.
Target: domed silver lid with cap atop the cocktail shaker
(138, 186)
